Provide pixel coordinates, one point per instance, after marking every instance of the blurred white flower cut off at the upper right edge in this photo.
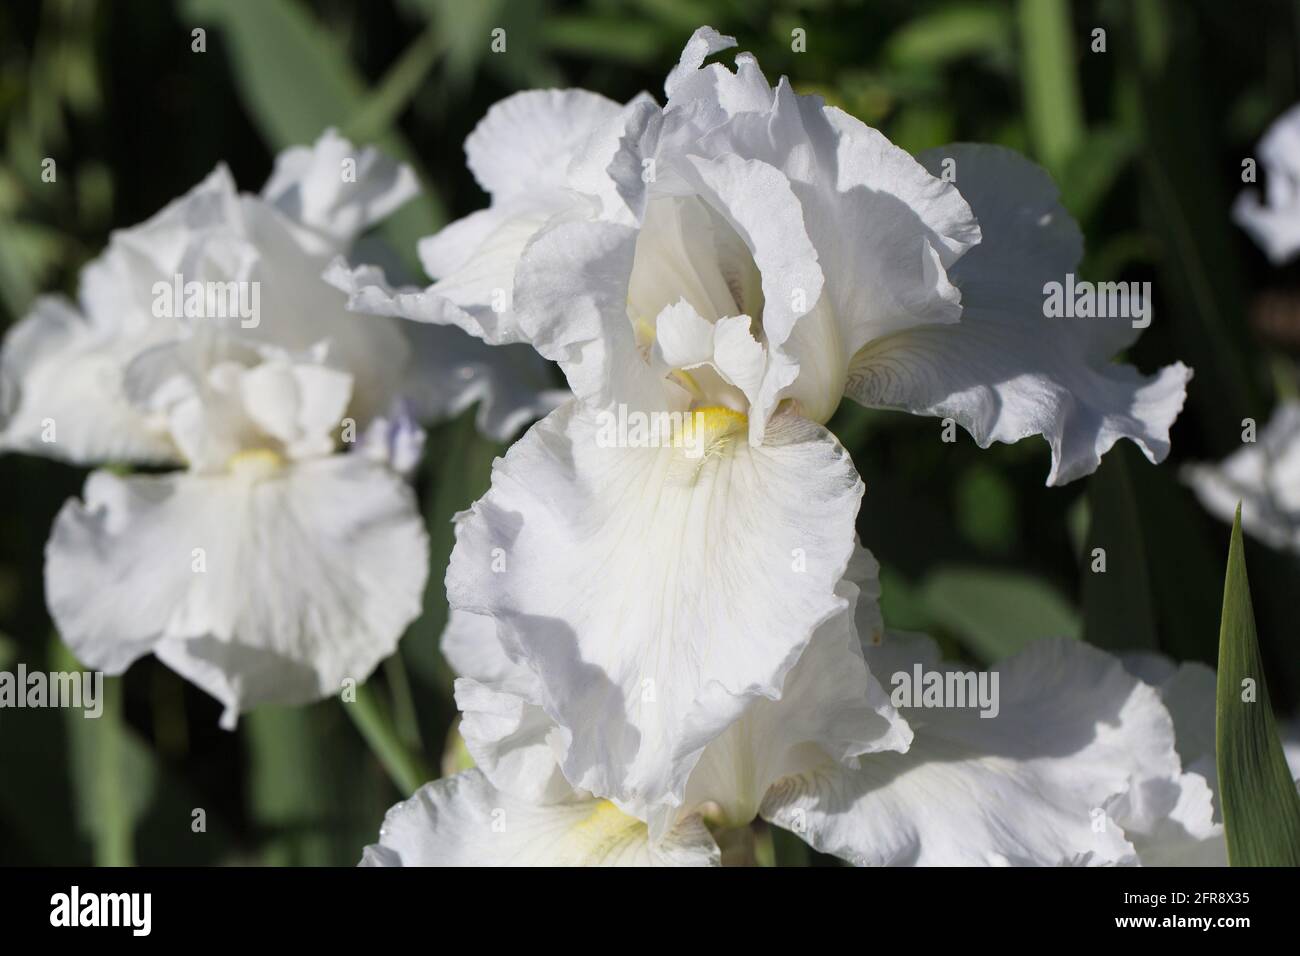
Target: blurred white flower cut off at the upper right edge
(1273, 222)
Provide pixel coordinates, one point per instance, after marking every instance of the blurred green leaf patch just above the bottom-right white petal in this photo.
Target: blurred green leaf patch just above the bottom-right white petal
(996, 613)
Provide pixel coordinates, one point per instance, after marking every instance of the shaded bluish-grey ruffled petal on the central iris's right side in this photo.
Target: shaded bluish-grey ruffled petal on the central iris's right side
(1006, 371)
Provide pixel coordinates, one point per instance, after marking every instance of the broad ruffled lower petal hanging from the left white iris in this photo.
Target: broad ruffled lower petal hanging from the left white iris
(259, 585)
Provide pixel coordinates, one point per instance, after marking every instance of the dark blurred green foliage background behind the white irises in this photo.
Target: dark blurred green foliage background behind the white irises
(1146, 141)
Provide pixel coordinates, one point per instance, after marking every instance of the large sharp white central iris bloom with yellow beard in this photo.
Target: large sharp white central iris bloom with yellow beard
(751, 256)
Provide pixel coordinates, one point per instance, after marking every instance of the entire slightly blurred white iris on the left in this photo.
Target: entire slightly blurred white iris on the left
(275, 564)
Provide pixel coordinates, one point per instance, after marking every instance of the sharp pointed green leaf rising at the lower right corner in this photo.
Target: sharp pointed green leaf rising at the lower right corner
(1262, 811)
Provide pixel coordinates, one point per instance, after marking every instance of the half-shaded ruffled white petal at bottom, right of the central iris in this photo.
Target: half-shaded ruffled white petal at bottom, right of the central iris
(1026, 788)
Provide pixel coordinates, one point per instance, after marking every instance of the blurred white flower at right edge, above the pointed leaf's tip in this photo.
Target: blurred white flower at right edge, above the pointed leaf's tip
(1264, 477)
